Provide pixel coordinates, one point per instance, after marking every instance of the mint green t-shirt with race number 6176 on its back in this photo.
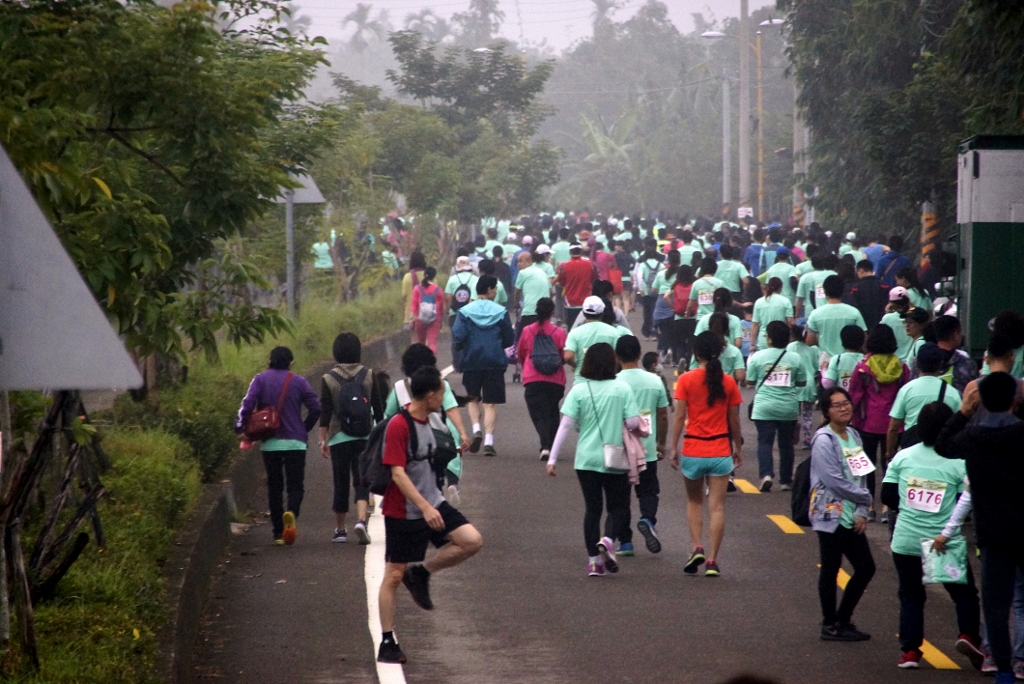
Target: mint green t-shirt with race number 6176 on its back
(932, 478)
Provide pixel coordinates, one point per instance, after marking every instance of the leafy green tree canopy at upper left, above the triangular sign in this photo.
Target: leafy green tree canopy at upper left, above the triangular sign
(148, 135)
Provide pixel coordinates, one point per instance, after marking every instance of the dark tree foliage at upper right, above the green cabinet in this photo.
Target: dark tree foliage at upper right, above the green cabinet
(918, 78)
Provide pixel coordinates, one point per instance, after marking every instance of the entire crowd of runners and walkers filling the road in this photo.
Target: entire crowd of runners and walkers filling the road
(835, 333)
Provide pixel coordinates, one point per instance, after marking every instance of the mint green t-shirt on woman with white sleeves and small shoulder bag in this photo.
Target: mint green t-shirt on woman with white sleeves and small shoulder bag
(600, 408)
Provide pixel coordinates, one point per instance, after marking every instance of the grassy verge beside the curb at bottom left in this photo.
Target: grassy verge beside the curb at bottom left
(88, 633)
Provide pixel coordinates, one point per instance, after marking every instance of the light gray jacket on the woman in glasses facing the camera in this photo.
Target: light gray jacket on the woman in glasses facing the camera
(829, 484)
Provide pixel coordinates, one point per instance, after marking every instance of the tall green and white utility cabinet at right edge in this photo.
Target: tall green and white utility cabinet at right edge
(991, 219)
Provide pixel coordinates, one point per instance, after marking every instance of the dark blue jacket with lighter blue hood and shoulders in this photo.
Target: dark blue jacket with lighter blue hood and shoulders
(482, 332)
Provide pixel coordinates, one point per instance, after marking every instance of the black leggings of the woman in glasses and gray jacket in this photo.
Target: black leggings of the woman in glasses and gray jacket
(843, 542)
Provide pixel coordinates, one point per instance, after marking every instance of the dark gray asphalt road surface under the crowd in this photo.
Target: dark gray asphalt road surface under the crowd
(524, 611)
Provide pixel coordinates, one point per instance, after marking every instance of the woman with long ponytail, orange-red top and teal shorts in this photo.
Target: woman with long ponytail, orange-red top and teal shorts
(708, 408)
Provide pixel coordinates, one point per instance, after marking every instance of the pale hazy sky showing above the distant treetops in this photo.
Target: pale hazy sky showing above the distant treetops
(561, 22)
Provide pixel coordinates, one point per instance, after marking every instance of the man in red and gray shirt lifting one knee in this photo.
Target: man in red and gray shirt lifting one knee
(415, 511)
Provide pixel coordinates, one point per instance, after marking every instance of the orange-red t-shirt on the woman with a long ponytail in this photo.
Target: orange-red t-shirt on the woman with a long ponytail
(711, 423)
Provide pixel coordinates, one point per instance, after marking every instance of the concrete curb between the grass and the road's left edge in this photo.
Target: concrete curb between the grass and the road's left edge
(207, 532)
